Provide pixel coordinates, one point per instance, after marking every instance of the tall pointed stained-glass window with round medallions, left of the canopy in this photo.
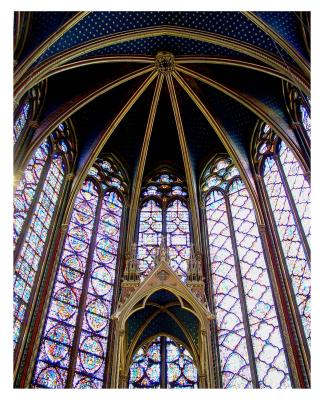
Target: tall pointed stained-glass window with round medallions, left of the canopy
(73, 347)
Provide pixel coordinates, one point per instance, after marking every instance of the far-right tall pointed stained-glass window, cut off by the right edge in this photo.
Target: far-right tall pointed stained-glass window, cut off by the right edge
(288, 192)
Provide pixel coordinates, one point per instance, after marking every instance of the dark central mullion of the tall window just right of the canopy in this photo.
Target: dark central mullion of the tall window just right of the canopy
(249, 343)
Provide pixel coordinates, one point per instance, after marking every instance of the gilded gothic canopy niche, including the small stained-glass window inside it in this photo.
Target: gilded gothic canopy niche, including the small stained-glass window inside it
(158, 315)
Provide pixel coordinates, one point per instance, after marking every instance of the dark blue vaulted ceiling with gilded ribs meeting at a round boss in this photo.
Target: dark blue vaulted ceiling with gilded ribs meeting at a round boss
(100, 71)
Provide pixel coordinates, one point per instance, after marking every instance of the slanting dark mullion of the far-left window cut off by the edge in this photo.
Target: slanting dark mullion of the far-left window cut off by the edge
(38, 191)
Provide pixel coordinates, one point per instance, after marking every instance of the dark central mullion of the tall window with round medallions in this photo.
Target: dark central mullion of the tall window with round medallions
(83, 298)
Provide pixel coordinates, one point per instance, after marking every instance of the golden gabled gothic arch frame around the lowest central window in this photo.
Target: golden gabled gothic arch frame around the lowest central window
(134, 297)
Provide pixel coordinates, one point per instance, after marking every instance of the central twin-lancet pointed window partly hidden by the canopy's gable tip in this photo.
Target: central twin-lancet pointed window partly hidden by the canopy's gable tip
(164, 211)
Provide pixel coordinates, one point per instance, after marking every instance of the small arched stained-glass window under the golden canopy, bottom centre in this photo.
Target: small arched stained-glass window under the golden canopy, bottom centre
(146, 370)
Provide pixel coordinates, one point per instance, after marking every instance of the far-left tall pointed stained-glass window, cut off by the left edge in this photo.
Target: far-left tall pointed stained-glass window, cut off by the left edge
(35, 202)
